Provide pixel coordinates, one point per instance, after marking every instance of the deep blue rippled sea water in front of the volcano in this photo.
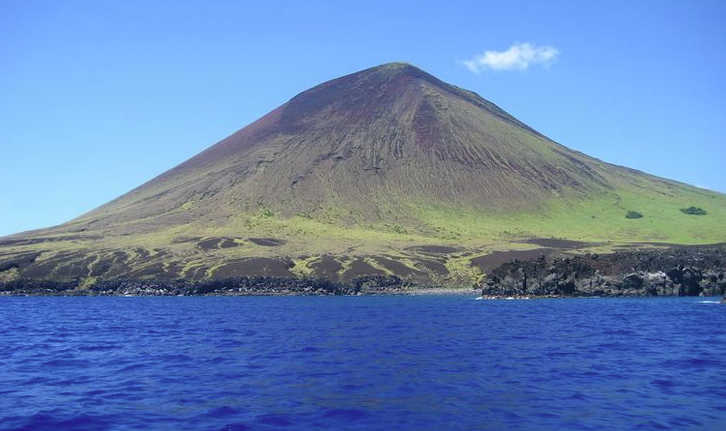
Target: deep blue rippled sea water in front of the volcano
(410, 363)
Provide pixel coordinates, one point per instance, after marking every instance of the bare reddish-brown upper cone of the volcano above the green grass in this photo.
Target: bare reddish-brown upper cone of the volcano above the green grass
(358, 149)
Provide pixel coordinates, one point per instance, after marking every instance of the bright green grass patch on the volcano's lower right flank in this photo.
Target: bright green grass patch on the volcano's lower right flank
(573, 219)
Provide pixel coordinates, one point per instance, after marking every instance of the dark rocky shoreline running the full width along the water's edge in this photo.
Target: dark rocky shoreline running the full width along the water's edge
(674, 271)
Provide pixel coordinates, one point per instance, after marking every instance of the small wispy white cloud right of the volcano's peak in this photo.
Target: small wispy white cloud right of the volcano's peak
(519, 56)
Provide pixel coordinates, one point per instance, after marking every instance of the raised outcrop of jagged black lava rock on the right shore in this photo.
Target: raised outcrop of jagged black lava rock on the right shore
(675, 271)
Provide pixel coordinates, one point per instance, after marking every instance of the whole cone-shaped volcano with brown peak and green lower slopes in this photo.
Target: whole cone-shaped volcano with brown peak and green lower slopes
(386, 171)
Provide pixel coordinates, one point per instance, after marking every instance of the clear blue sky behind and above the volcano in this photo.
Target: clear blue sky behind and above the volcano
(101, 96)
